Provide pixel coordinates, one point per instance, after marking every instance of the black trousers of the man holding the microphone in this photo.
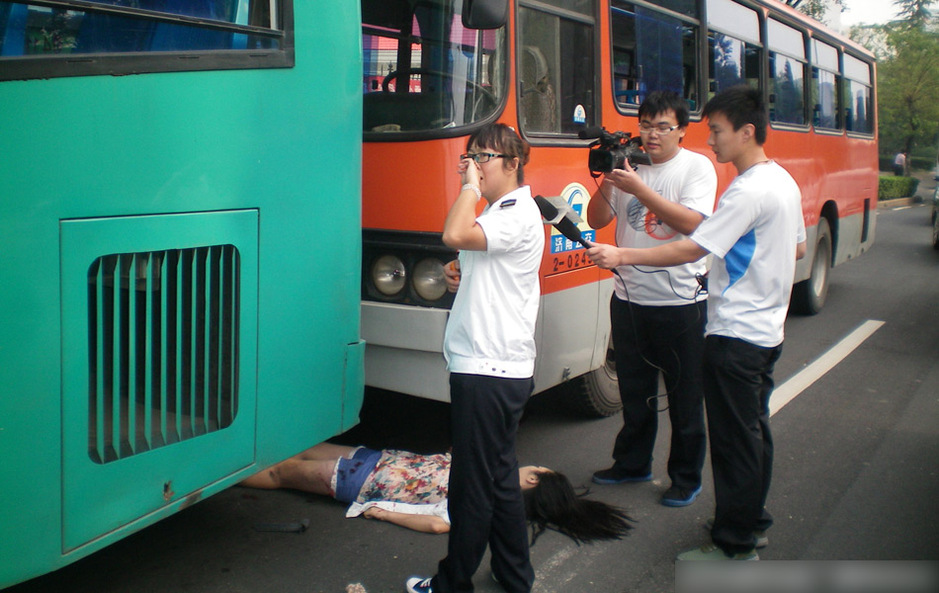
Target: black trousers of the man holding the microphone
(738, 382)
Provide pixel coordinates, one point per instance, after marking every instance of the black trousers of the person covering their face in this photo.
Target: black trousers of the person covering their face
(485, 499)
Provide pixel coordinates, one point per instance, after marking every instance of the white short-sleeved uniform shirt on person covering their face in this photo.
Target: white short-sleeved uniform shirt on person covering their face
(491, 329)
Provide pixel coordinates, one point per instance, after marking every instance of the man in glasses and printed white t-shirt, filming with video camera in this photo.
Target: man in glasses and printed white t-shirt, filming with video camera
(658, 315)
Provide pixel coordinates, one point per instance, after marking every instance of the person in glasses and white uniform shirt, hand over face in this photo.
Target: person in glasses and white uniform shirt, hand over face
(489, 346)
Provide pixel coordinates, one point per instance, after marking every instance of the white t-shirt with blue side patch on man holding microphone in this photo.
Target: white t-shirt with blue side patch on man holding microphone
(753, 234)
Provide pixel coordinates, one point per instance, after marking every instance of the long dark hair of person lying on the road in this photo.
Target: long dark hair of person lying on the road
(553, 504)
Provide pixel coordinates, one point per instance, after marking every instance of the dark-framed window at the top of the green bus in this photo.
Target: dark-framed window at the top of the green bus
(120, 39)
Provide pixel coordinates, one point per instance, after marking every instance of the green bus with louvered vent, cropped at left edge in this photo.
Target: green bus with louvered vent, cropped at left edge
(180, 252)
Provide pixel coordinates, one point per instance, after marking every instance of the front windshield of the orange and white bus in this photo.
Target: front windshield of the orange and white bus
(424, 70)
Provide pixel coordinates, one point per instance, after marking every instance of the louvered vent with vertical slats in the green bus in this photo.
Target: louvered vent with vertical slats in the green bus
(163, 348)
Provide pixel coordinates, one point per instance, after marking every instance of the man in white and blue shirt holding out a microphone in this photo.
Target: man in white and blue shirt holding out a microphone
(756, 234)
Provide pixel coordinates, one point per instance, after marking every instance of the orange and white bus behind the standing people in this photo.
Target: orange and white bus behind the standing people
(435, 70)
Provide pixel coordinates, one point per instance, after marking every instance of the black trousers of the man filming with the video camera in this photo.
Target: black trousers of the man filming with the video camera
(672, 339)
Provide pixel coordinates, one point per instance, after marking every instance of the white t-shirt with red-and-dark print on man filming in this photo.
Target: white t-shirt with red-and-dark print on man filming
(688, 179)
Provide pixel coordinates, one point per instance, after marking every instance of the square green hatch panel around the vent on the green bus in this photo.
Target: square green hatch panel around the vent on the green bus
(164, 436)
